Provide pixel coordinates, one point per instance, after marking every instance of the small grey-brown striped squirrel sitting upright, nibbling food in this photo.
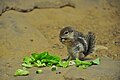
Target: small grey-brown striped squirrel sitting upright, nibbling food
(78, 45)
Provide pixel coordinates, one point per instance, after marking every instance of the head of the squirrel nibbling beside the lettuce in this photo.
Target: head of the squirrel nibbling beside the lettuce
(66, 35)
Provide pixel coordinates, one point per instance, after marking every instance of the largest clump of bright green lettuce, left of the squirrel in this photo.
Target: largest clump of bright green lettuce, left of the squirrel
(41, 60)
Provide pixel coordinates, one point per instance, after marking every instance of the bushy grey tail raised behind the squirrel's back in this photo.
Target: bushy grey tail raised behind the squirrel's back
(90, 38)
